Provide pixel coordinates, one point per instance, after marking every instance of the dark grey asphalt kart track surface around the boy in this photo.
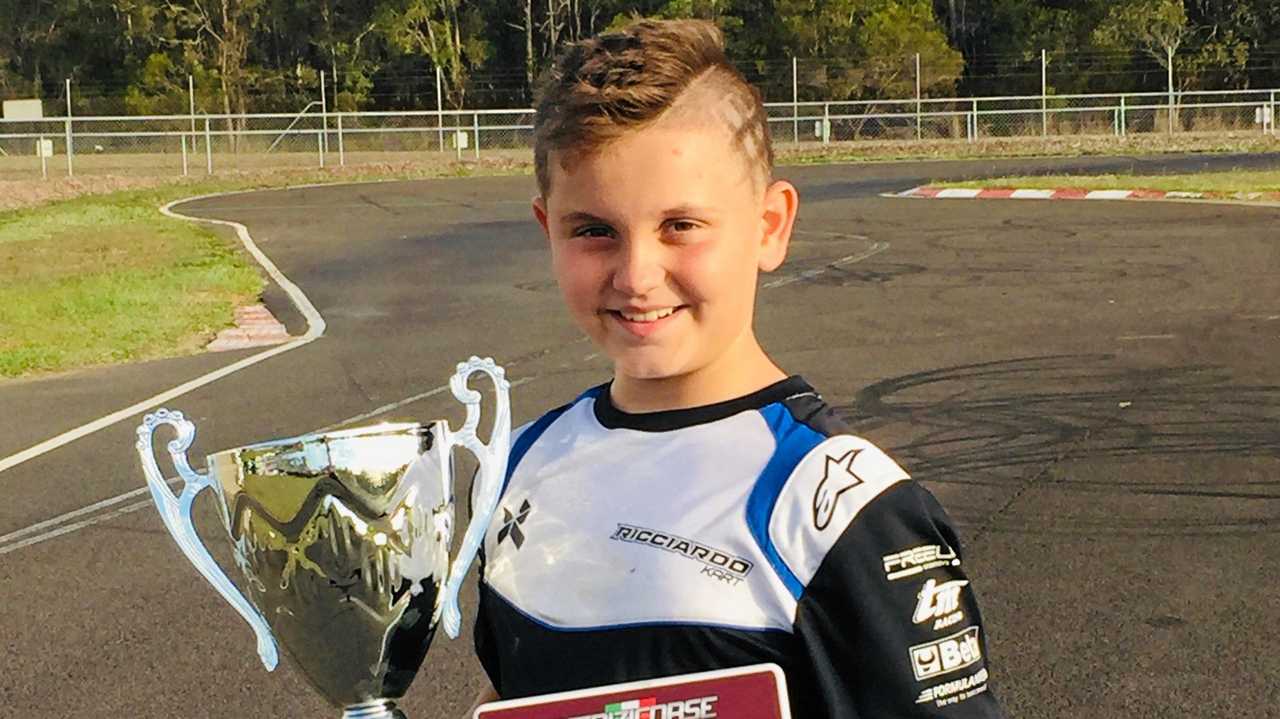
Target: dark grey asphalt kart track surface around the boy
(1090, 388)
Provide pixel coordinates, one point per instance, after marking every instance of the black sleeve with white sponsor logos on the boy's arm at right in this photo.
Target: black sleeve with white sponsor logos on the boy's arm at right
(890, 622)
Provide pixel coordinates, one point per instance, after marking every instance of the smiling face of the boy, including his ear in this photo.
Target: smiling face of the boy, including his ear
(657, 242)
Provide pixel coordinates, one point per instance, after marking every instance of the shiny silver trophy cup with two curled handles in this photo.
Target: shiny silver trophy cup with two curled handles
(344, 539)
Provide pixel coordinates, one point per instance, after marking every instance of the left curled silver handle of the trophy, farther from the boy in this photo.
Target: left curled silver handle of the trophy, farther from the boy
(176, 514)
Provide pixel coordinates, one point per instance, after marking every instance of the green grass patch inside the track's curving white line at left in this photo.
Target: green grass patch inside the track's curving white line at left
(108, 280)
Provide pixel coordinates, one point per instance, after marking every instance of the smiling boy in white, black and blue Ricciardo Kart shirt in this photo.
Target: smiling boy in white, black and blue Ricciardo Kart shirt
(703, 510)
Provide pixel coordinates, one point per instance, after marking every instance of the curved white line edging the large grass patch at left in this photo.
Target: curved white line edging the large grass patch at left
(316, 329)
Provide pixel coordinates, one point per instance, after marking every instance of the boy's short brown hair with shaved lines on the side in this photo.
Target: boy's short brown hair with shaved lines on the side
(616, 83)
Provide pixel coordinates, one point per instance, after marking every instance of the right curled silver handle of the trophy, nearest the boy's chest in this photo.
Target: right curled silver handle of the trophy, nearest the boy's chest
(490, 478)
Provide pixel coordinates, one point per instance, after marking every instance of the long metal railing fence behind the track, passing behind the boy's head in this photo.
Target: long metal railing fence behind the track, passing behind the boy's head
(212, 143)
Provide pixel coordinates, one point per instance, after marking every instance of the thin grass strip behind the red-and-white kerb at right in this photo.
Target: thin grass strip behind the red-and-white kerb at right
(1218, 184)
